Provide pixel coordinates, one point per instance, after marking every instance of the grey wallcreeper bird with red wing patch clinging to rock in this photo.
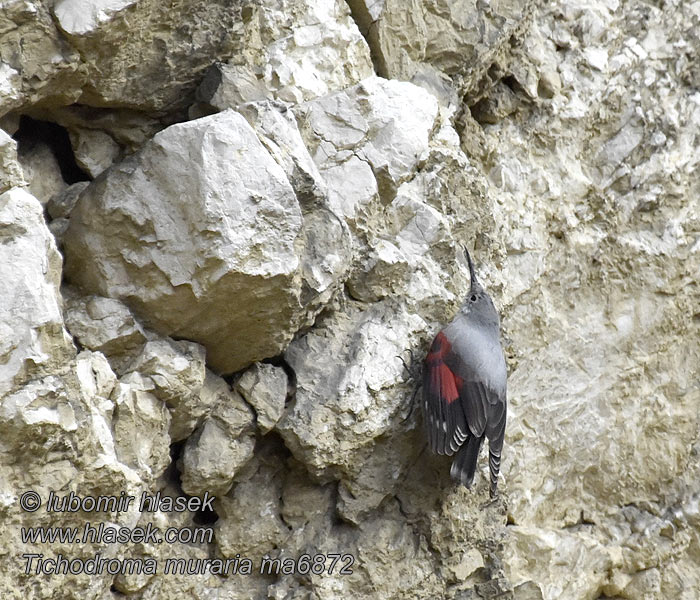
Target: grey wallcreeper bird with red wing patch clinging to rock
(464, 387)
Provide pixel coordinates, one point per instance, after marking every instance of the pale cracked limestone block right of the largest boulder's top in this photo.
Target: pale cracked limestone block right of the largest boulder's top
(367, 140)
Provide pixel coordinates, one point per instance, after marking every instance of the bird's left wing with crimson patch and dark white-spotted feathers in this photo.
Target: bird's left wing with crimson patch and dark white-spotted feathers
(444, 415)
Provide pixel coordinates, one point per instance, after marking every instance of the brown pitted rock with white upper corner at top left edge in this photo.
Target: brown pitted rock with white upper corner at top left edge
(145, 55)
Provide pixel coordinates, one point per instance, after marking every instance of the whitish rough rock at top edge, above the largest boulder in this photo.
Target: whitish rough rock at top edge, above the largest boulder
(295, 50)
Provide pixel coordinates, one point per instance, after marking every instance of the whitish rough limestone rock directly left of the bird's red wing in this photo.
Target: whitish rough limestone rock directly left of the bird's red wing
(346, 384)
